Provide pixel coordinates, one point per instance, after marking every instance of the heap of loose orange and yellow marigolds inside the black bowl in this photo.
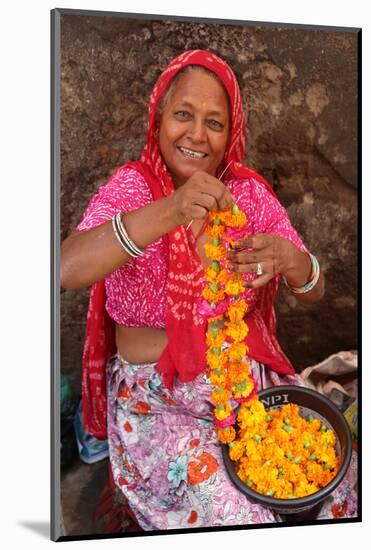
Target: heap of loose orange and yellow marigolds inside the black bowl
(285, 454)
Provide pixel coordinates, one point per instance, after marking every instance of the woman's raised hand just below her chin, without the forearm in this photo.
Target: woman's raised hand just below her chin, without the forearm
(199, 195)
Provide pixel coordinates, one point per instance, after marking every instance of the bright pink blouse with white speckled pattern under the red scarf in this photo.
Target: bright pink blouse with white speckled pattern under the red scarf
(136, 291)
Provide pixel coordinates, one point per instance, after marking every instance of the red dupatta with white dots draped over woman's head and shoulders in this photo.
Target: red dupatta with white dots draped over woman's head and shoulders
(184, 355)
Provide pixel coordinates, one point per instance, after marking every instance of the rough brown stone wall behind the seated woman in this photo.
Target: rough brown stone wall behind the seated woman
(299, 89)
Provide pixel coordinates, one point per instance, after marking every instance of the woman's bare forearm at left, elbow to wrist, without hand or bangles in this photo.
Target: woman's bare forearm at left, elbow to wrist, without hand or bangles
(89, 256)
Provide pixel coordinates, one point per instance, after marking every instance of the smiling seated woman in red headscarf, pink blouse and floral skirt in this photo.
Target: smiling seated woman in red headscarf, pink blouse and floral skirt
(143, 235)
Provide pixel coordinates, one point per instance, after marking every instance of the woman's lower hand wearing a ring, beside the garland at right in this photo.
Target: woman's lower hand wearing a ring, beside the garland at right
(273, 254)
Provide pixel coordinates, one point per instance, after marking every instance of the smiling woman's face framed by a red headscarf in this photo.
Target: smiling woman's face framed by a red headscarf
(194, 126)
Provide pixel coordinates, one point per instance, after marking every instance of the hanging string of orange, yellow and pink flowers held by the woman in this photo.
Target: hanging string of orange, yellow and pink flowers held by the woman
(225, 310)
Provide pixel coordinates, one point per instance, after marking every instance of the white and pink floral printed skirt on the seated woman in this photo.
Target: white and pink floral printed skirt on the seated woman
(166, 459)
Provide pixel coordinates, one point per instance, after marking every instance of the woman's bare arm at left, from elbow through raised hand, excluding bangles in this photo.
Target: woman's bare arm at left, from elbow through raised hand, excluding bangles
(89, 256)
